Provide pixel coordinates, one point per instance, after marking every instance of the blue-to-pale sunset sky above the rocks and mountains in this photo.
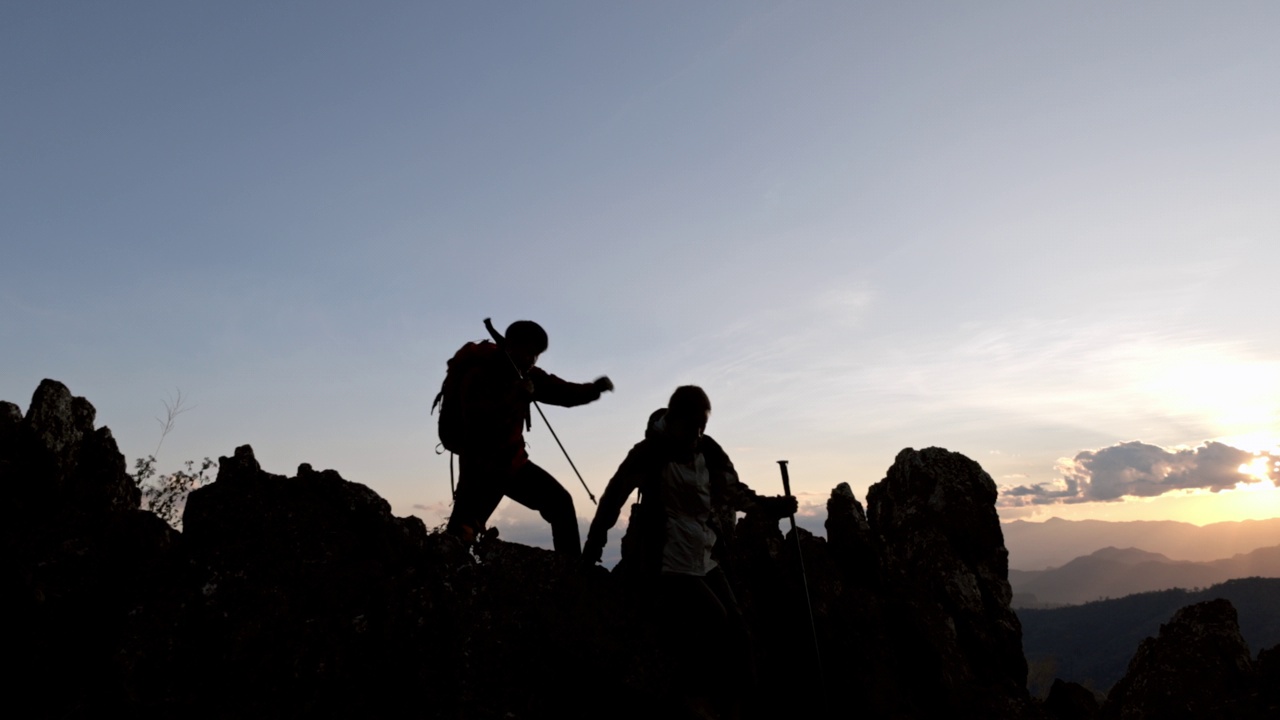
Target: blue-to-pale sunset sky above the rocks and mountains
(1041, 235)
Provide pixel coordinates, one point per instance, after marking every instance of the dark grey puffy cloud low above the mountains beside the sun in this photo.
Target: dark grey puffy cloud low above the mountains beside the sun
(1139, 470)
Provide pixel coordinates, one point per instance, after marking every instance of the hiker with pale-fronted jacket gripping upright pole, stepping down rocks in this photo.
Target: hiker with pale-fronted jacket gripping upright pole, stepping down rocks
(689, 496)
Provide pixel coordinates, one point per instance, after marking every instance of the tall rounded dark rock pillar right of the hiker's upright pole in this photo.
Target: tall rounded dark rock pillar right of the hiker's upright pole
(941, 546)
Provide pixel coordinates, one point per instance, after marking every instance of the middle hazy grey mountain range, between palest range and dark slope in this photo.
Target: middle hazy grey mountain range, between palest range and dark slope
(1117, 573)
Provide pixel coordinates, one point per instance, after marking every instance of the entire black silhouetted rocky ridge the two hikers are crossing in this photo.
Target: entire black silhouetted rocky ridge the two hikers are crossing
(305, 598)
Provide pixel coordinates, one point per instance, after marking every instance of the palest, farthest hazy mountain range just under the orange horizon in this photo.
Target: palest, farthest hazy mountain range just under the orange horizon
(1055, 543)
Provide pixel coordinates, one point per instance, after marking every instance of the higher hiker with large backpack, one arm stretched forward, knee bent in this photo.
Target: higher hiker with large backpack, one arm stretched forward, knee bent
(484, 413)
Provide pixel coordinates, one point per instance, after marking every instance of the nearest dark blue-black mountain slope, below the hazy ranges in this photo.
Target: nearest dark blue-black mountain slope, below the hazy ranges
(1092, 644)
